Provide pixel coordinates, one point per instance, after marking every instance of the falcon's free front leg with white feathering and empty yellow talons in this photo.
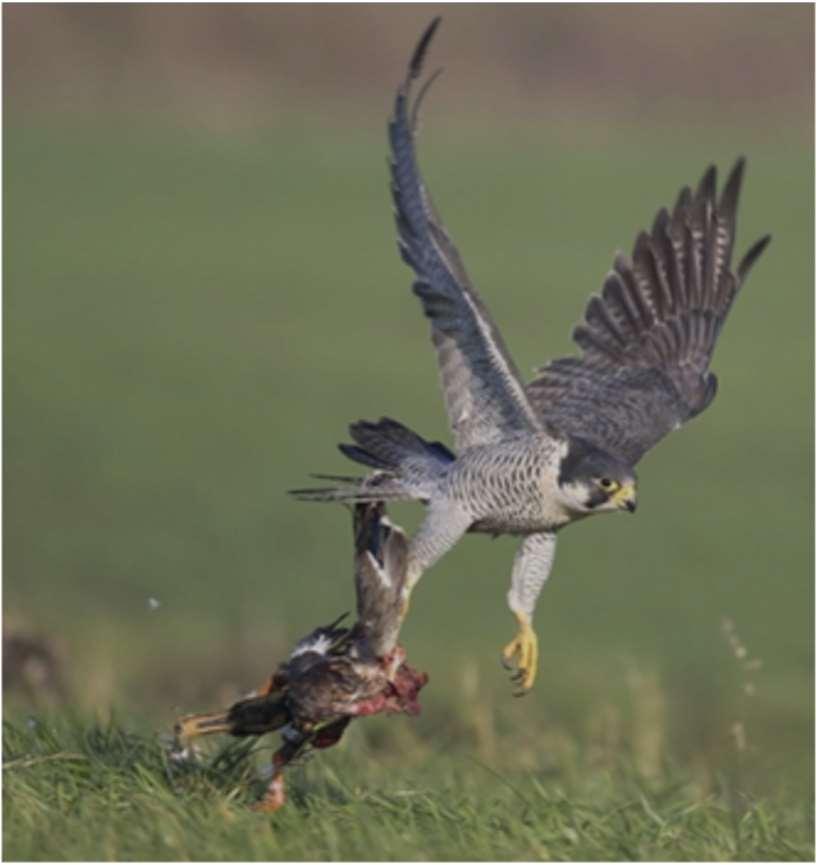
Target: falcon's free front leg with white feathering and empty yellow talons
(532, 565)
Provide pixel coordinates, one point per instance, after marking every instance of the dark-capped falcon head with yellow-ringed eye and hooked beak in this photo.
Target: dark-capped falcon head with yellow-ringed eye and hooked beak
(593, 481)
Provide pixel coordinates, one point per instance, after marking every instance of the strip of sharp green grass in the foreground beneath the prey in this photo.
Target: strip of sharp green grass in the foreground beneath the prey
(73, 789)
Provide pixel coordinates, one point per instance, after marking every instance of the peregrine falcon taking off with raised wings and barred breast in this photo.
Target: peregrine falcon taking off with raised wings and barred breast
(530, 459)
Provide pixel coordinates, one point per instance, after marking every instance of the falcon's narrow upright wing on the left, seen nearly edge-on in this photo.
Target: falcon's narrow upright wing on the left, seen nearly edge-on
(484, 394)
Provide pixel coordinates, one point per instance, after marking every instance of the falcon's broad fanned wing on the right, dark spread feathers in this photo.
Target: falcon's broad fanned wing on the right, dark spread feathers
(647, 340)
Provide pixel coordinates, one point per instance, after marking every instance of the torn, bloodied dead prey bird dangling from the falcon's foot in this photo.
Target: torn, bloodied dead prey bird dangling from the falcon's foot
(335, 673)
